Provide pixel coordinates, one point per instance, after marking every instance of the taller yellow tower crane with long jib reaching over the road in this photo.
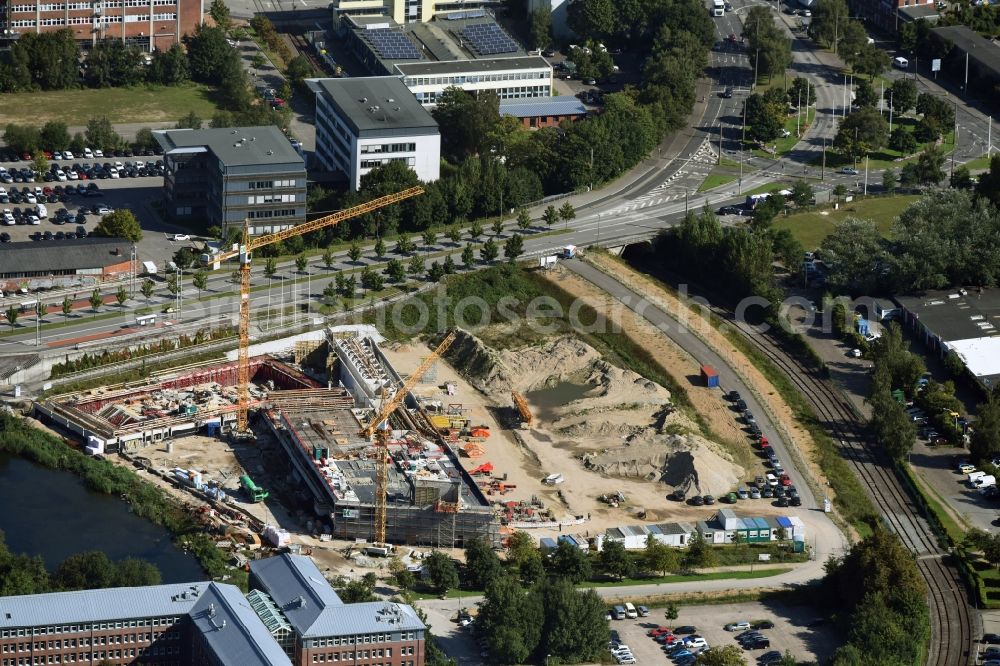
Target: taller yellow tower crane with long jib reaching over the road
(245, 252)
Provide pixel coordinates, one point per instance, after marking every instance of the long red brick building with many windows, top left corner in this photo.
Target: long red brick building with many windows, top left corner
(151, 24)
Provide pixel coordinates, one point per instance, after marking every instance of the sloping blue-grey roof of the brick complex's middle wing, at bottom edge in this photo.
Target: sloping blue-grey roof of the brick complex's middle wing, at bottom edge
(232, 630)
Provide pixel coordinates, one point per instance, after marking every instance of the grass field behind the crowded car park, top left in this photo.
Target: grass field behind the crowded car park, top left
(142, 104)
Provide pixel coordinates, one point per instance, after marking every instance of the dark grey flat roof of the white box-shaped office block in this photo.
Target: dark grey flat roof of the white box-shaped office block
(375, 103)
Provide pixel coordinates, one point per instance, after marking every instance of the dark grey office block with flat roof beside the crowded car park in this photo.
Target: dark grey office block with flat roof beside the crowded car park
(227, 175)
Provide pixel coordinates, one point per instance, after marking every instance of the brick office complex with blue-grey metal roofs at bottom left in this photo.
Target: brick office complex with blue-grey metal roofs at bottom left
(292, 617)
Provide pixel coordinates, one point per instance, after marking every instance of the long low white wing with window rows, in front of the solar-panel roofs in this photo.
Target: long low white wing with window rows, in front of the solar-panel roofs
(510, 78)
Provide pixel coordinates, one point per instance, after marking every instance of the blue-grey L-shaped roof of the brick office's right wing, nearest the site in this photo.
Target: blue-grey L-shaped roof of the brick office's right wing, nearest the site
(313, 608)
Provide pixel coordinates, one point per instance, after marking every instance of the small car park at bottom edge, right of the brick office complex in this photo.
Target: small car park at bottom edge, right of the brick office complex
(791, 630)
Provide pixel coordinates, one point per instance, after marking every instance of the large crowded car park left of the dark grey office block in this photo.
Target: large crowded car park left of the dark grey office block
(139, 194)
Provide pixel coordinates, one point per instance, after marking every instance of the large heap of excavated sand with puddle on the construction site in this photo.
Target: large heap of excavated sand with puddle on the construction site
(614, 420)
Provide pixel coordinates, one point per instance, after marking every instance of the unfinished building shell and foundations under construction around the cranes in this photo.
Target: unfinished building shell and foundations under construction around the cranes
(317, 408)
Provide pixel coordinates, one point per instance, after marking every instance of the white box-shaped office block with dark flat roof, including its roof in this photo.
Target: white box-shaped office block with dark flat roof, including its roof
(362, 123)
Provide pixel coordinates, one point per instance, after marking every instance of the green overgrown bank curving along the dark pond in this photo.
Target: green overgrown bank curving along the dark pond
(18, 437)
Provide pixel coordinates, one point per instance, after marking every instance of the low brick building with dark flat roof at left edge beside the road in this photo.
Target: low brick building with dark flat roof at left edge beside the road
(99, 257)
